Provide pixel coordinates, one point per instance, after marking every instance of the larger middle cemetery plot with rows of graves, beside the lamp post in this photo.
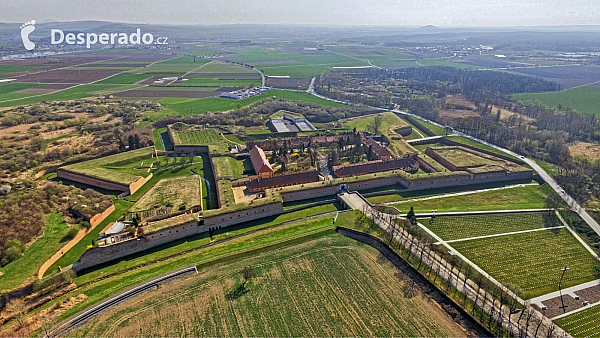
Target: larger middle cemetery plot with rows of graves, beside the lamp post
(532, 261)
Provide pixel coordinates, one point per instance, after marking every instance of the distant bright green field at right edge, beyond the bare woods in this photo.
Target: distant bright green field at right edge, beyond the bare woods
(582, 99)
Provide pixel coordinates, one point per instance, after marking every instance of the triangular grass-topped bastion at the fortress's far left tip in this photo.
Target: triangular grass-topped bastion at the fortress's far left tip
(123, 168)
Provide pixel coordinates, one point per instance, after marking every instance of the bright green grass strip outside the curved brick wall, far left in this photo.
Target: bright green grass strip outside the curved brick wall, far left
(41, 250)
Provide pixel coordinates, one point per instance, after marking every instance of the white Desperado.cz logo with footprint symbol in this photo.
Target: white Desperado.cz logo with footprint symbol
(57, 37)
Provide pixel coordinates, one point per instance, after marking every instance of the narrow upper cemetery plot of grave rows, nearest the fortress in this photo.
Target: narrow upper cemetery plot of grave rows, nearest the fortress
(458, 227)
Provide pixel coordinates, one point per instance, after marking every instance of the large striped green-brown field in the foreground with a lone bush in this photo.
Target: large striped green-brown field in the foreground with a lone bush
(330, 286)
